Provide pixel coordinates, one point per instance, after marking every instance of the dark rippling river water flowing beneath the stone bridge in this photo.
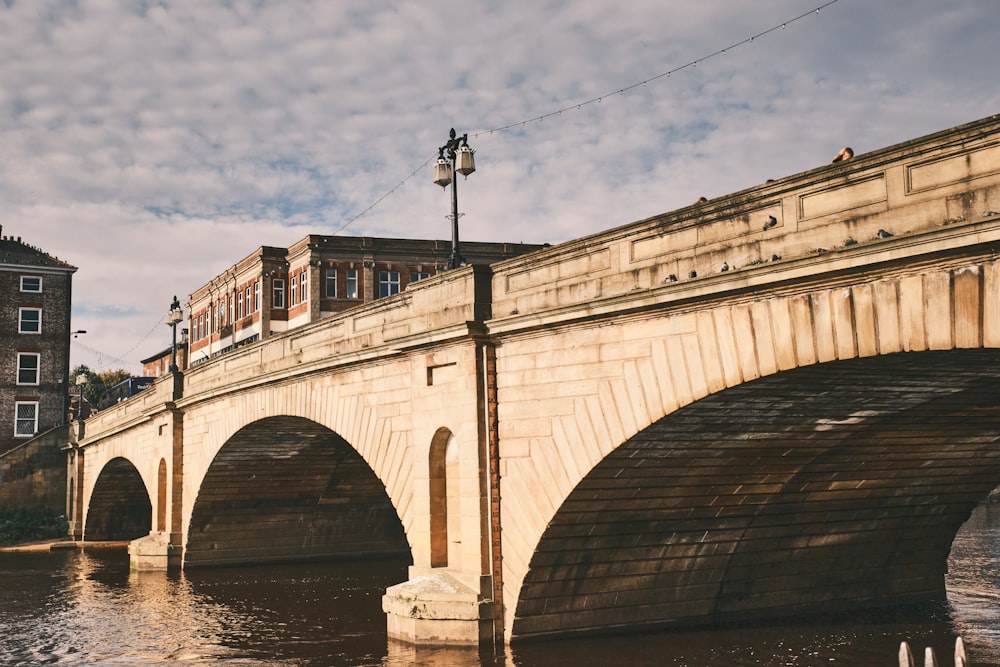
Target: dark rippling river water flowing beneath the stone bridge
(86, 608)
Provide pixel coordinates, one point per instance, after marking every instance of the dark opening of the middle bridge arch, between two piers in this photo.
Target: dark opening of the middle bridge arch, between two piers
(286, 488)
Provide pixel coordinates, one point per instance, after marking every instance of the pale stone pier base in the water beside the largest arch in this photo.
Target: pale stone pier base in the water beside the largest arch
(437, 610)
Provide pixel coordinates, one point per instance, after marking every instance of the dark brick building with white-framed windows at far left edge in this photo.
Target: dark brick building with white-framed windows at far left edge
(35, 302)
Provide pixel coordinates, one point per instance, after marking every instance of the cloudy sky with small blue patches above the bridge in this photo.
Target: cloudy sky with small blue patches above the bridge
(154, 143)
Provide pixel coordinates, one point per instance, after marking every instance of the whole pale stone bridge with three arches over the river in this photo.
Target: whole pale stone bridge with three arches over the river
(778, 402)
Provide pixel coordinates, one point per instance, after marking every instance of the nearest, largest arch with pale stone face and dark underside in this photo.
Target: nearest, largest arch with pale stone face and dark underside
(799, 395)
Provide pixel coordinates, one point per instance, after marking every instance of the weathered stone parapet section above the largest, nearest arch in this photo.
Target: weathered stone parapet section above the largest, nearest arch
(780, 230)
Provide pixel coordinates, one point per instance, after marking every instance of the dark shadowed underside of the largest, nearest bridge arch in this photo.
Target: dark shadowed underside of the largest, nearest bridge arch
(834, 486)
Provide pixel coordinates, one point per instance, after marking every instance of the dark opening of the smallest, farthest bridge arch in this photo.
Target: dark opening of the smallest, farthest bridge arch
(119, 508)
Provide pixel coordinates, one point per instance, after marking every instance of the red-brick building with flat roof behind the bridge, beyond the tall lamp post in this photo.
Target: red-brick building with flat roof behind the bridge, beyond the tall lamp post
(276, 289)
